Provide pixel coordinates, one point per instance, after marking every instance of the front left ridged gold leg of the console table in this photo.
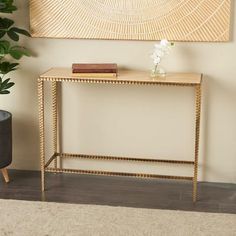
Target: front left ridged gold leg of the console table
(41, 131)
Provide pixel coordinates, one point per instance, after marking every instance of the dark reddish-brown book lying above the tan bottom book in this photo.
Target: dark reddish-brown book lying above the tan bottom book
(94, 68)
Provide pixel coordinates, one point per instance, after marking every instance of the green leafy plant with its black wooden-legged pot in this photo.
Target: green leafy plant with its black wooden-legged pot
(10, 52)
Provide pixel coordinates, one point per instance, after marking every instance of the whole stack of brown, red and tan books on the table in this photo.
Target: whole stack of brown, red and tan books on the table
(95, 70)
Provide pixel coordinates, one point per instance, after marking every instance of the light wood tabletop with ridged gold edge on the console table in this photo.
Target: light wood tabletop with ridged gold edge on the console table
(125, 77)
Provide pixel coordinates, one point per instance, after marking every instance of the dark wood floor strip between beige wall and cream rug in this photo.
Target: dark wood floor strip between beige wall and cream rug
(120, 191)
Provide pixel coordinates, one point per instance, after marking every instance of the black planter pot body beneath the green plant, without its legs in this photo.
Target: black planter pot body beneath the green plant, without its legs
(5, 139)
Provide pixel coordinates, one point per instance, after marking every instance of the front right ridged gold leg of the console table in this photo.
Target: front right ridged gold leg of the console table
(197, 133)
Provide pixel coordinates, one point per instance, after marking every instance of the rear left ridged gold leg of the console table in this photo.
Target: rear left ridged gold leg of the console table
(54, 119)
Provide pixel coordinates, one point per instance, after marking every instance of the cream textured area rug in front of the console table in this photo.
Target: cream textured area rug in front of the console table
(24, 218)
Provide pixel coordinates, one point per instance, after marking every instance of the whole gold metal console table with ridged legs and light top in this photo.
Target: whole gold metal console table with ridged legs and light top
(58, 75)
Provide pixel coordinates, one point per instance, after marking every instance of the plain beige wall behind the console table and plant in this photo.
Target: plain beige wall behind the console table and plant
(130, 120)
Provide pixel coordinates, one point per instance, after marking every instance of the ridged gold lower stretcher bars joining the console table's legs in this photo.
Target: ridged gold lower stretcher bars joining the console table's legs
(110, 173)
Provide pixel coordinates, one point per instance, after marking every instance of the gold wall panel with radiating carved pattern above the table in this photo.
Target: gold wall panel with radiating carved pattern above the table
(176, 20)
